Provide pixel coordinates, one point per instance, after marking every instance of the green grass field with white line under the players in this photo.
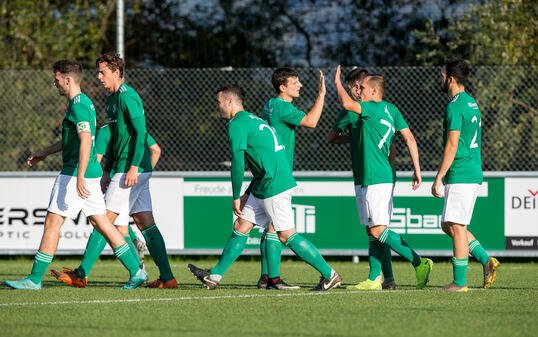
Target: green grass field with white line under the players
(238, 308)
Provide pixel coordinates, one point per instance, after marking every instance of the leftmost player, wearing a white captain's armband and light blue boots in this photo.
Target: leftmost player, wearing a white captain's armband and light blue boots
(77, 187)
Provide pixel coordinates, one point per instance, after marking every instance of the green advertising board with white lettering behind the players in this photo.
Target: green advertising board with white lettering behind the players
(326, 213)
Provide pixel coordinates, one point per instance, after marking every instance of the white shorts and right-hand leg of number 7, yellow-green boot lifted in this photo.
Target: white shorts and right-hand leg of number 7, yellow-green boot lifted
(378, 204)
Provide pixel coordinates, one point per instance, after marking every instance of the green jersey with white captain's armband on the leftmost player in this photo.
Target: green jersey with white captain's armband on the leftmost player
(79, 116)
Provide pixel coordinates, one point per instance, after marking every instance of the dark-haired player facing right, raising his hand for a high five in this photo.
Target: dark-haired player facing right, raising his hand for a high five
(284, 117)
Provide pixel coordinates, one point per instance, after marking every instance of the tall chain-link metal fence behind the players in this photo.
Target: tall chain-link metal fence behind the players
(180, 107)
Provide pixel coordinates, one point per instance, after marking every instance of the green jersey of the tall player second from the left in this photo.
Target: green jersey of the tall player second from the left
(128, 134)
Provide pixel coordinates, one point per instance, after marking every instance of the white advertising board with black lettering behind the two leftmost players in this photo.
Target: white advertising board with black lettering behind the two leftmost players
(23, 207)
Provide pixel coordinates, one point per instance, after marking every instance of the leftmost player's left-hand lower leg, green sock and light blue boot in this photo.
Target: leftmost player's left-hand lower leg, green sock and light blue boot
(44, 255)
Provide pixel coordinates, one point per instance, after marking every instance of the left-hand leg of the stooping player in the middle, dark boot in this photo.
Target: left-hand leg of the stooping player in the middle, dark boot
(233, 249)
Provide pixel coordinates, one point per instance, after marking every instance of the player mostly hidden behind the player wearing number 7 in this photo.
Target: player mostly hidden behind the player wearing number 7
(379, 253)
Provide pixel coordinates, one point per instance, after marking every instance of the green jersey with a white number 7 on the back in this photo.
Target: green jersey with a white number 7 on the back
(380, 121)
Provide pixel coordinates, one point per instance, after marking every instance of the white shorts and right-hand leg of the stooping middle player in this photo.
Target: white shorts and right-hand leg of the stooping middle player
(280, 212)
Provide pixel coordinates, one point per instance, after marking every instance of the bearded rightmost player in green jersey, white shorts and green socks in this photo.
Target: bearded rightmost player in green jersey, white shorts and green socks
(461, 172)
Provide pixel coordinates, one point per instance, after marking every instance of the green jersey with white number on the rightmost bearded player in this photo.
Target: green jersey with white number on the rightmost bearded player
(462, 114)
